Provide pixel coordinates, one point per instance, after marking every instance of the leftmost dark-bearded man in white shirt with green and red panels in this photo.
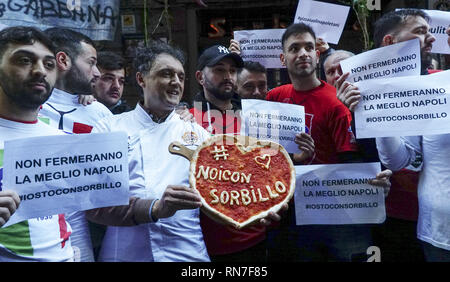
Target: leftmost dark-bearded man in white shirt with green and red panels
(27, 76)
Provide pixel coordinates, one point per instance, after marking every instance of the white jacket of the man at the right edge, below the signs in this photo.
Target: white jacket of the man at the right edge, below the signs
(433, 224)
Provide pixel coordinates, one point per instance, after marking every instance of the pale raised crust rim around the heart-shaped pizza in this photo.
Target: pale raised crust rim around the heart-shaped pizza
(221, 218)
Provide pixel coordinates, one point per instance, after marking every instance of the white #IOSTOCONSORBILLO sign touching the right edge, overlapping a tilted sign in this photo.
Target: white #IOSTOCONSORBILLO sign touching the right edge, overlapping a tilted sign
(404, 106)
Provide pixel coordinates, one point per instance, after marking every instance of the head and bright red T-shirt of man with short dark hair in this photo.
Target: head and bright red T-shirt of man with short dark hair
(327, 119)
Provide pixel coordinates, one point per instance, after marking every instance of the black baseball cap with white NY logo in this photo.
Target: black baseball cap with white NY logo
(214, 54)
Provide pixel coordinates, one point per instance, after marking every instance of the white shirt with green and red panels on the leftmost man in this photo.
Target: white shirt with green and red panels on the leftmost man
(39, 239)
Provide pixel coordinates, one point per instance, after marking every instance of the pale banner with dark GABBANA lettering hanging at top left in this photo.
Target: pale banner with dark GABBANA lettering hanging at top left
(97, 19)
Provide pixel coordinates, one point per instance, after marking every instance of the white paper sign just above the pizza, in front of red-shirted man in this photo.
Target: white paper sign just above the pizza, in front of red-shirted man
(273, 121)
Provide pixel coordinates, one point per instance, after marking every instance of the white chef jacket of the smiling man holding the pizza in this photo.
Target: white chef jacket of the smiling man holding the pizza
(152, 167)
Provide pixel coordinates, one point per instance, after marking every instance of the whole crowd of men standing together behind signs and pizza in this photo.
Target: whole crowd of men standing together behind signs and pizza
(43, 74)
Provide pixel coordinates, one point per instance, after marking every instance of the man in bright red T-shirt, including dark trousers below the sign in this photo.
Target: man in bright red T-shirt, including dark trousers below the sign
(328, 121)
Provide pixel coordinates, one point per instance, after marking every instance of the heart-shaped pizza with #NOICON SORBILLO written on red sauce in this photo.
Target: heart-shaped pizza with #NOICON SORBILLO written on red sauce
(241, 179)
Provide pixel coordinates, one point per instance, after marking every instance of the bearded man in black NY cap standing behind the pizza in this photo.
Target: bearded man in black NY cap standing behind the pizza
(215, 109)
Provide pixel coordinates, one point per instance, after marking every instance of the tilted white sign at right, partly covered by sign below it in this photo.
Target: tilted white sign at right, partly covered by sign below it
(401, 59)
